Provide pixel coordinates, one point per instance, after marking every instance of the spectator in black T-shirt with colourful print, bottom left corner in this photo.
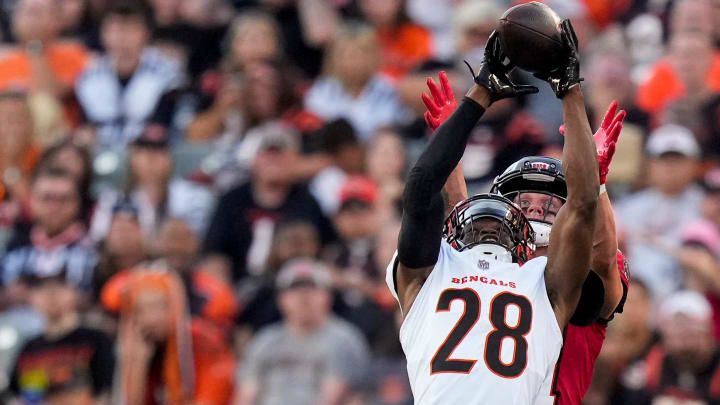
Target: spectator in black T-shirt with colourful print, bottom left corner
(68, 363)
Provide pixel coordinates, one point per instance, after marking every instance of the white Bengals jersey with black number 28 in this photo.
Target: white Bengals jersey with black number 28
(480, 331)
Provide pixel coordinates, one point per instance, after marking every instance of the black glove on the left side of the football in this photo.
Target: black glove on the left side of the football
(494, 73)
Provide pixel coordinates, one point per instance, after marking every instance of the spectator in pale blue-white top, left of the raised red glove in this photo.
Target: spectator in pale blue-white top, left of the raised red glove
(351, 87)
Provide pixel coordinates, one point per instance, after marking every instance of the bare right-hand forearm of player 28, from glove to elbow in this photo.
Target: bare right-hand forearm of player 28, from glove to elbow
(579, 156)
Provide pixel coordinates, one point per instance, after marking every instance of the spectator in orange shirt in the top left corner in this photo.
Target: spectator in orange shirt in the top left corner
(41, 63)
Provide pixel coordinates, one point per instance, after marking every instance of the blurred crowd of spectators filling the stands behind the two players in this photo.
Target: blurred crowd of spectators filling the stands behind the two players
(199, 198)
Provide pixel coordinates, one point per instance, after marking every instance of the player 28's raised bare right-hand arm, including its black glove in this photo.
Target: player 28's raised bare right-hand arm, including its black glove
(571, 239)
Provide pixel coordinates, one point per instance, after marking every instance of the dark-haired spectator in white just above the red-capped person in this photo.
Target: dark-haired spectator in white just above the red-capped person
(338, 140)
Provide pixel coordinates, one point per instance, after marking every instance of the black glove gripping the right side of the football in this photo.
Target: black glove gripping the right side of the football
(567, 74)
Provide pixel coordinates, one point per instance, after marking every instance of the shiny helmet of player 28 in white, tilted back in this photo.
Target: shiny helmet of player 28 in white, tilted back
(493, 220)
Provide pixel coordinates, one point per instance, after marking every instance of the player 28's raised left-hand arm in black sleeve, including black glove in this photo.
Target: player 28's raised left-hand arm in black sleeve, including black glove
(421, 229)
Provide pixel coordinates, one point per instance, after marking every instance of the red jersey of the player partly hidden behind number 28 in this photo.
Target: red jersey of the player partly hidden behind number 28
(581, 348)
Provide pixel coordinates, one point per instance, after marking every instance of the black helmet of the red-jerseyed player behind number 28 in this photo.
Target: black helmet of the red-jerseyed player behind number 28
(533, 174)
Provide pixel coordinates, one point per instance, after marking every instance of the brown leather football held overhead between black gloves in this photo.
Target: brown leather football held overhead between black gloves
(530, 36)
